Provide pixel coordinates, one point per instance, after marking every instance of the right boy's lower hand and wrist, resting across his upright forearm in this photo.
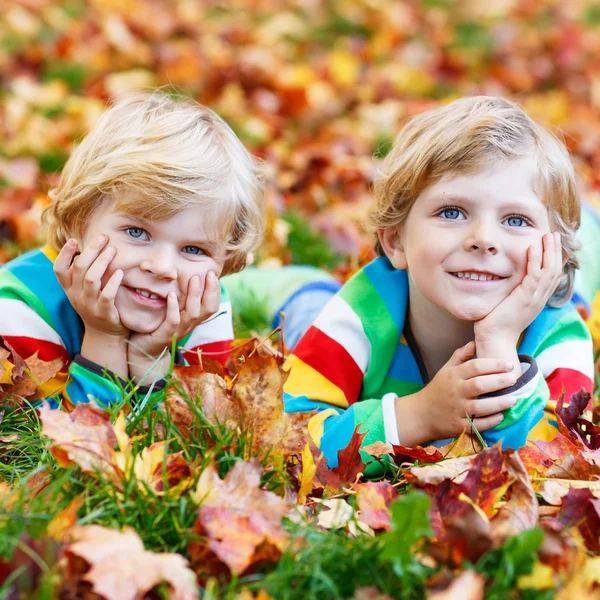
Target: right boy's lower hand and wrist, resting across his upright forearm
(440, 409)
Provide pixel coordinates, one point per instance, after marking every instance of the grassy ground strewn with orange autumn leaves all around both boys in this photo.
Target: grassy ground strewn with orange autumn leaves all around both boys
(177, 500)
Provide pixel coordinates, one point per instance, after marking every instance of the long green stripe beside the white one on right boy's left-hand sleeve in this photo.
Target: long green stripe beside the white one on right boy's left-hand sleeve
(379, 328)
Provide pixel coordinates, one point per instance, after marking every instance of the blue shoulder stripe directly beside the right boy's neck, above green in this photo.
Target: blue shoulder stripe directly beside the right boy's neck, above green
(392, 286)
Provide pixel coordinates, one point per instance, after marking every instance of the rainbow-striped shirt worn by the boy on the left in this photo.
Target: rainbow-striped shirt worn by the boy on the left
(36, 316)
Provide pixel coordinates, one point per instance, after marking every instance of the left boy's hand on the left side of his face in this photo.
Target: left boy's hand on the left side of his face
(81, 278)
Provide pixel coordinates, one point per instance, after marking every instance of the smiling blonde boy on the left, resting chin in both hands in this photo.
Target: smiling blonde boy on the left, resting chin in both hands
(157, 202)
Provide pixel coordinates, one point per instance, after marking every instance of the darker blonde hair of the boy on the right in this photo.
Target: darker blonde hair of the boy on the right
(465, 136)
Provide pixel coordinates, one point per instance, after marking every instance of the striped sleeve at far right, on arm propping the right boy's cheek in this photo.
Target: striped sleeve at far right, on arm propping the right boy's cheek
(557, 355)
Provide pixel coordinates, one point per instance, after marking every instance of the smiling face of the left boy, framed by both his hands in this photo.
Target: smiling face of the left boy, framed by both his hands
(157, 256)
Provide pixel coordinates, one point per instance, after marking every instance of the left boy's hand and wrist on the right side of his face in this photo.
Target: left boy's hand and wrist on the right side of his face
(201, 302)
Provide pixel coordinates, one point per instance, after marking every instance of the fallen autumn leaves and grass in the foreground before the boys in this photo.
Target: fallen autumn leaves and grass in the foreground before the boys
(211, 490)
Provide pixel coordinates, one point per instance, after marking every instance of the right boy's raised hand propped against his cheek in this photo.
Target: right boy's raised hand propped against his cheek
(502, 327)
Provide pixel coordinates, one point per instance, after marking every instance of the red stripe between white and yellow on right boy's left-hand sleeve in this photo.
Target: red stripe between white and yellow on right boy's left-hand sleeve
(330, 359)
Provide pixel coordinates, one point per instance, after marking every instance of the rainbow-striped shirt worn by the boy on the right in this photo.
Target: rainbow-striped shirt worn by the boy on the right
(356, 358)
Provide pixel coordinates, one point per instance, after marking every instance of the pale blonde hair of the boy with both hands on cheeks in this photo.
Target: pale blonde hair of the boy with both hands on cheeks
(156, 154)
